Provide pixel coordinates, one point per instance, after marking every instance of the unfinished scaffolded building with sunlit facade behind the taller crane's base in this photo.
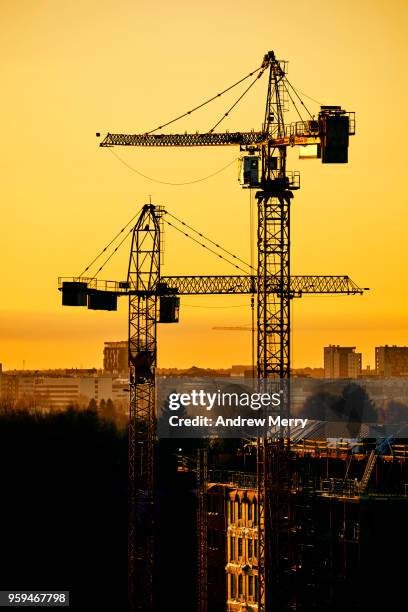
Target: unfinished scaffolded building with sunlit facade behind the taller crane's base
(347, 524)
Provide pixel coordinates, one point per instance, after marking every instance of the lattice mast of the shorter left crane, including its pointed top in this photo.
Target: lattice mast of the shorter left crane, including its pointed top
(143, 278)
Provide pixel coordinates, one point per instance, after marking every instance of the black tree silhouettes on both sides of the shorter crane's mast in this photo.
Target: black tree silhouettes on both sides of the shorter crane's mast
(63, 510)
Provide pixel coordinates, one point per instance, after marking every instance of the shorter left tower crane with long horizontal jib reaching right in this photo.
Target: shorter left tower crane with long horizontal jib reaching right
(154, 299)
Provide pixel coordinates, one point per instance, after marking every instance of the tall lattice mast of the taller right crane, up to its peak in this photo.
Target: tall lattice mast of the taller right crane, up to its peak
(273, 346)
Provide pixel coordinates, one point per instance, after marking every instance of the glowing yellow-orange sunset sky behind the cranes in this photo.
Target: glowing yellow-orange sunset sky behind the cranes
(71, 68)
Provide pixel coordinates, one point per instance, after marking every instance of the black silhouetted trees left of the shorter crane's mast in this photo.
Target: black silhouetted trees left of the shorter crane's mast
(63, 511)
